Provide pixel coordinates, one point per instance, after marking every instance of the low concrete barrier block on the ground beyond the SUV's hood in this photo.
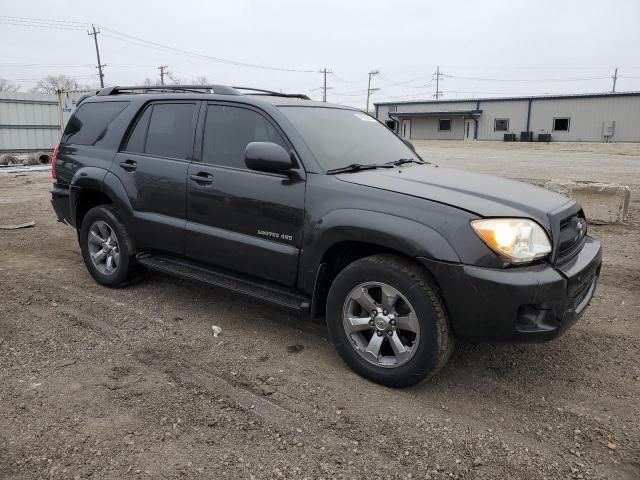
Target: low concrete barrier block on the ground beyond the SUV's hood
(602, 202)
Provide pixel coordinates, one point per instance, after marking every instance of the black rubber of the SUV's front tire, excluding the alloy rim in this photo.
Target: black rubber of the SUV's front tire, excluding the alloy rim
(428, 357)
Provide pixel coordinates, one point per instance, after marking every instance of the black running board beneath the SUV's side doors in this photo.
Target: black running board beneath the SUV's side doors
(259, 290)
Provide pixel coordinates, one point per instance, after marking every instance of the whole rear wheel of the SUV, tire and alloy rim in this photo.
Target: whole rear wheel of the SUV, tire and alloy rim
(103, 221)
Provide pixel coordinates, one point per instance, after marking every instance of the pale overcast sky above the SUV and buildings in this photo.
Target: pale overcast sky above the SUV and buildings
(484, 48)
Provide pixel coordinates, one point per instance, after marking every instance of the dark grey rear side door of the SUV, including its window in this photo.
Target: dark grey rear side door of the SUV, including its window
(152, 166)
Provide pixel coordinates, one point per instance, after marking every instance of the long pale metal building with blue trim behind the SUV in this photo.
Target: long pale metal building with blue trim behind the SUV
(606, 117)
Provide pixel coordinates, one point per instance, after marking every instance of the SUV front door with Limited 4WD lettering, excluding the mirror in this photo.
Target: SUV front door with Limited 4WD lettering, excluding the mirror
(239, 219)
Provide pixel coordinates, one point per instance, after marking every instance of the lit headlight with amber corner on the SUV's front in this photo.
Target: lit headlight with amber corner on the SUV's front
(518, 239)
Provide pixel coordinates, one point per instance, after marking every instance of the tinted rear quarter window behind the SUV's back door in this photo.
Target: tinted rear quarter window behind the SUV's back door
(91, 122)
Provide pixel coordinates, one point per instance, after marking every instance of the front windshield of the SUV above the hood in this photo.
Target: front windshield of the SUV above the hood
(339, 137)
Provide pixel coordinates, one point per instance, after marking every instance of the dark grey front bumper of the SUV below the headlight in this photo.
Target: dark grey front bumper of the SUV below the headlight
(522, 304)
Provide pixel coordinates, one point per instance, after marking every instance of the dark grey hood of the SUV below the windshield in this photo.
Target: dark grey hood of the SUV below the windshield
(483, 195)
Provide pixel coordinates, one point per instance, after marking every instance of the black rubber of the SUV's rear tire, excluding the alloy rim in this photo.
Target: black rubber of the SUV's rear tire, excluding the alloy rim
(126, 260)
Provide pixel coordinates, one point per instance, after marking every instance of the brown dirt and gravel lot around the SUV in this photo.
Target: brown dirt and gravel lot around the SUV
(131, 383)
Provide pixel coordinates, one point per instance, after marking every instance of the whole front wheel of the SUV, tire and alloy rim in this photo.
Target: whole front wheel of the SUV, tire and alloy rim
(423, 353)
